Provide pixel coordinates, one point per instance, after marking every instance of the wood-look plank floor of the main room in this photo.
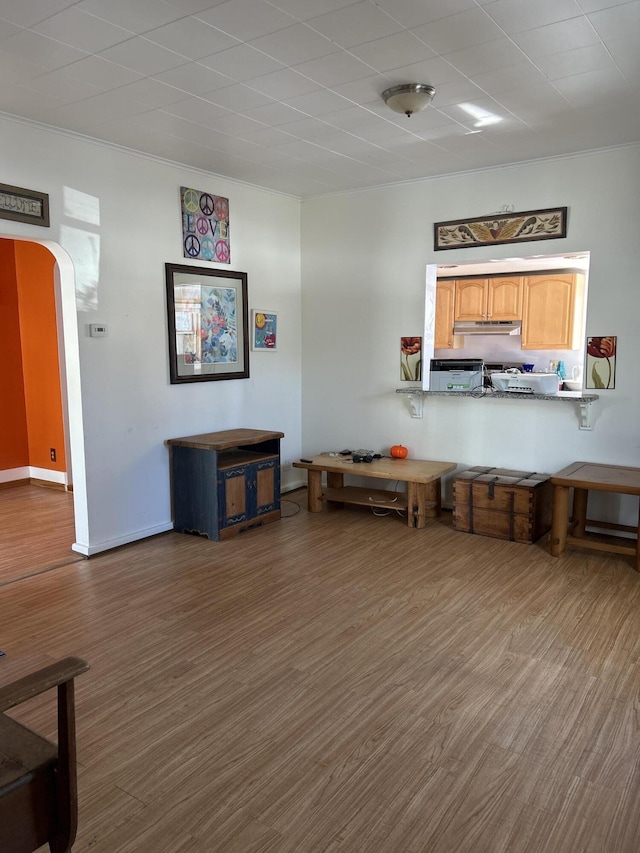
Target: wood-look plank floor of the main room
(338, 682)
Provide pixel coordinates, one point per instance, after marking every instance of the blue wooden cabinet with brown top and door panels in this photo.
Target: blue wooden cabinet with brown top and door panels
(225, 482)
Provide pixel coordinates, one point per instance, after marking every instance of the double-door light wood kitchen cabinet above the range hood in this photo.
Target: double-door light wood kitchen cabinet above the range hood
(496, 298)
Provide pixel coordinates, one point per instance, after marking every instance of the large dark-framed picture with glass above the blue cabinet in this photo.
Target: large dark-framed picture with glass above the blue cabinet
(207, 314)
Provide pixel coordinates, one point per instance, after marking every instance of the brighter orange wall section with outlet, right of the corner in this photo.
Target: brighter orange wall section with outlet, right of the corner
(40, 365)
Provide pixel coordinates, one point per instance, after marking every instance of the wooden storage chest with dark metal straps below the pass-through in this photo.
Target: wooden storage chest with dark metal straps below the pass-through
(514, 505)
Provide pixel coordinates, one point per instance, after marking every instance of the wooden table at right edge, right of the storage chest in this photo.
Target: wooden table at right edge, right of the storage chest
(584, 477)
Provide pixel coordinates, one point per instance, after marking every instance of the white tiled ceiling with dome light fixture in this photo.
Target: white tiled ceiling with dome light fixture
(285, 94)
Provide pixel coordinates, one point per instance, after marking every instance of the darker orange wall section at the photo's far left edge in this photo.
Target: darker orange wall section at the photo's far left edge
(14, 445)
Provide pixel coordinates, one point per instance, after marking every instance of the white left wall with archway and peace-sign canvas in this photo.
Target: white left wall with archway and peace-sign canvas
(119, 237)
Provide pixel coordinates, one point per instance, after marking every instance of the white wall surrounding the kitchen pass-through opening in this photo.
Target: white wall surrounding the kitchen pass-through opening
(363, 270)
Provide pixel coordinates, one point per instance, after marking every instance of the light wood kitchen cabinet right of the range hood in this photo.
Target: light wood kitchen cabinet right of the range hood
(552, 311)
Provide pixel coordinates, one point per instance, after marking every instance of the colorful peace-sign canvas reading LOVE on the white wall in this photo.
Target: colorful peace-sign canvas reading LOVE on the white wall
(205, 226)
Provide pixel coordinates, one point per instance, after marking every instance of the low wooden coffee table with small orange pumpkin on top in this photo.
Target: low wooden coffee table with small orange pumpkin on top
(421, 500)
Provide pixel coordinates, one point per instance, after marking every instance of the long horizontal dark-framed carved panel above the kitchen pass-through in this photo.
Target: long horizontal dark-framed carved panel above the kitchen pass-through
(525, 226)
